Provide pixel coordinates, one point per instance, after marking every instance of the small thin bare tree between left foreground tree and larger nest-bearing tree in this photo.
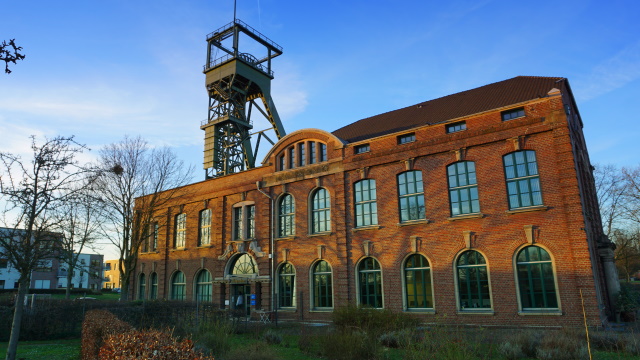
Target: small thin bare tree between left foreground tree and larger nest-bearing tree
(79, 221)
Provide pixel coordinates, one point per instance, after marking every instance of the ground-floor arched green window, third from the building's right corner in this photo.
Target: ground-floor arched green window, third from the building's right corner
(417, 282)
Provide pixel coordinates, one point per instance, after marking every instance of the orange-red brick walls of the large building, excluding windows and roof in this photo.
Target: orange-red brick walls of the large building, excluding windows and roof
(566, 224)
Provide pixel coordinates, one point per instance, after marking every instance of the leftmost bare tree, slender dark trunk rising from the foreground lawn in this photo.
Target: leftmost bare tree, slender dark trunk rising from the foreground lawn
(31, 189)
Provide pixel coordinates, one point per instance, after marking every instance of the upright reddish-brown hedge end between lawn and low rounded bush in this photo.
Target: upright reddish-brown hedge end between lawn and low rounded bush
(96, 327)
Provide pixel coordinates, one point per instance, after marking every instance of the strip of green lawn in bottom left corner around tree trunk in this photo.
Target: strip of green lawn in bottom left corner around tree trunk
(46, 350)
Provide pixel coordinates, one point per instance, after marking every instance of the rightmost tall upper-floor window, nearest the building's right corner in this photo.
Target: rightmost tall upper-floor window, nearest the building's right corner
(523, 182)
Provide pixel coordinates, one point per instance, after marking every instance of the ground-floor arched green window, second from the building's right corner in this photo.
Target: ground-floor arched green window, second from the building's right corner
(473, 281)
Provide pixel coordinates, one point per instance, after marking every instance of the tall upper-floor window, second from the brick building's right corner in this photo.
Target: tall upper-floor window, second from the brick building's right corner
(463, 188)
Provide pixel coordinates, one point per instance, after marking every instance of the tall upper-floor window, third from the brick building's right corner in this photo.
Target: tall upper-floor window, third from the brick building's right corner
(411, 196)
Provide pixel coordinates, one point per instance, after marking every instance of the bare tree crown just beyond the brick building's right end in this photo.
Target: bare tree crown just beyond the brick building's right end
(610, 188)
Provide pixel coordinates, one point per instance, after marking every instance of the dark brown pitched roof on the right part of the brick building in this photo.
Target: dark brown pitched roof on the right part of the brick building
(484, 98)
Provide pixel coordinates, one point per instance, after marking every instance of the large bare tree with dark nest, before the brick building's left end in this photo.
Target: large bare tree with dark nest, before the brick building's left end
(136, 180)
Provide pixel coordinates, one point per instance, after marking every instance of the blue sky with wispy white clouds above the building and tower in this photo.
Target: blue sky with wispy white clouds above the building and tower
(103, 69)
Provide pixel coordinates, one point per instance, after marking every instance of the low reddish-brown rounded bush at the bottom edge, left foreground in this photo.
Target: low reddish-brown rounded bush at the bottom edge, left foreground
(148, 345)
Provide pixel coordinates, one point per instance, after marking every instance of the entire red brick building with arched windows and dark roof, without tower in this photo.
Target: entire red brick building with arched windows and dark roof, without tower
(474, 208)
